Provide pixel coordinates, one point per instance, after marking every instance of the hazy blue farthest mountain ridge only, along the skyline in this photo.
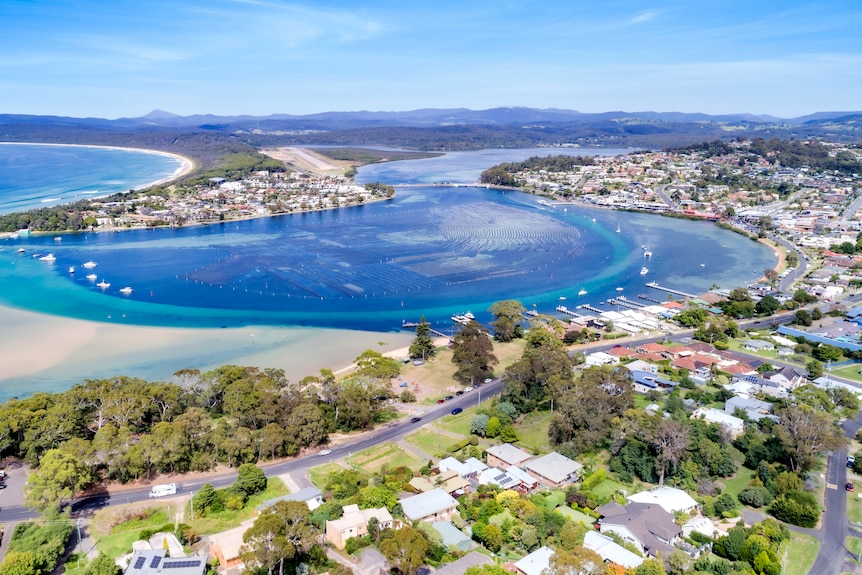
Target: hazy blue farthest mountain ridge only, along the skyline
(427, 118)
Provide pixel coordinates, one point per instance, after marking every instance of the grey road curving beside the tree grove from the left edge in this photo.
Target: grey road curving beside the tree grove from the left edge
(387, 434)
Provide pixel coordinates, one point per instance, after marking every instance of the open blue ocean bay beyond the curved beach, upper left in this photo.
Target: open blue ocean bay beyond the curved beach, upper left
(34, 176)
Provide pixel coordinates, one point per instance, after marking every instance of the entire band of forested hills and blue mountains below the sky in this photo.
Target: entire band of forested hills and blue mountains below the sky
(207, 137)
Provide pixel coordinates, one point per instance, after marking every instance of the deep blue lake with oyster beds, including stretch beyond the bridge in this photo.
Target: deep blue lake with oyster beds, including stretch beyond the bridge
(432, 251)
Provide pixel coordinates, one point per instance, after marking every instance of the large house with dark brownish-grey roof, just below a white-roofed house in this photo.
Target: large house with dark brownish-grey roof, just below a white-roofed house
(648, 527)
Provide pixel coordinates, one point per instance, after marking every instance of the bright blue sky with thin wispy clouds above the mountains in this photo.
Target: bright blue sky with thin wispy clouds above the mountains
(128, 57)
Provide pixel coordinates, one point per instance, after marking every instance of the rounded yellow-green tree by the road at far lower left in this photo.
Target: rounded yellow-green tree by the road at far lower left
(58, 479)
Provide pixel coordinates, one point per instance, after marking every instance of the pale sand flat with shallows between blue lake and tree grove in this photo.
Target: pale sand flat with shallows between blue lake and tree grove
(49, 353)
